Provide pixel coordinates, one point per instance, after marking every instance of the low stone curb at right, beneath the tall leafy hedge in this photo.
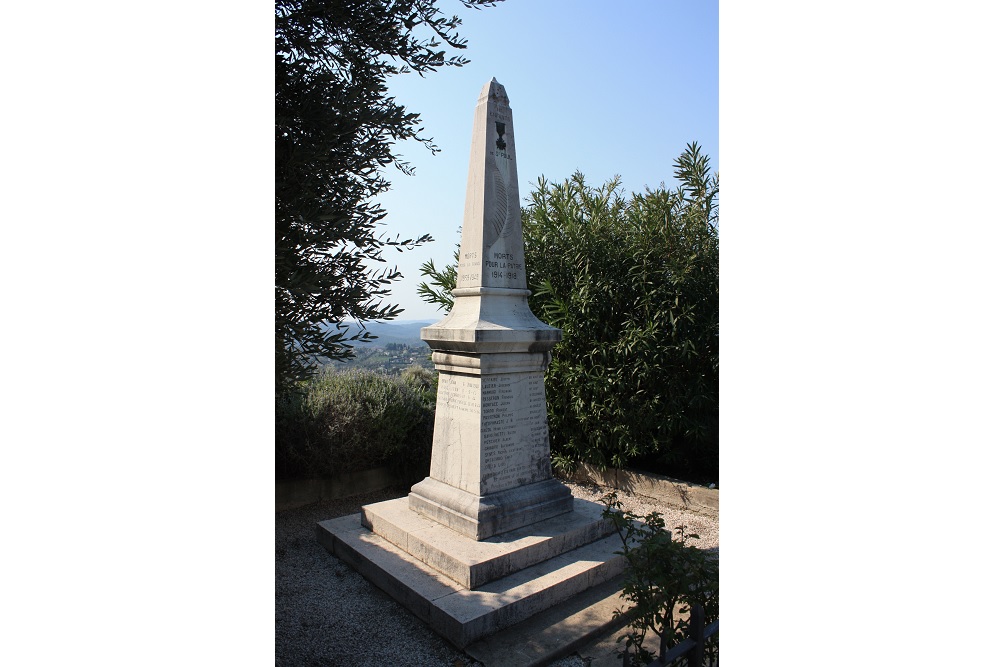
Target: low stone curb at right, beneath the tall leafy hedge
(674, 493)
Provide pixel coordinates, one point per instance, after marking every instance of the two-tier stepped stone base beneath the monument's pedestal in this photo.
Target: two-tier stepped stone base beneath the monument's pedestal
(467, 589)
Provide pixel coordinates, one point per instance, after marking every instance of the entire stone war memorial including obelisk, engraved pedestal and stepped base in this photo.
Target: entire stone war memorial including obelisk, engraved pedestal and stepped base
(490, 537)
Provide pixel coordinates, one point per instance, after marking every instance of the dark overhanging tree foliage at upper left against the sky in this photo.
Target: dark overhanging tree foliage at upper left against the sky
(335, 126)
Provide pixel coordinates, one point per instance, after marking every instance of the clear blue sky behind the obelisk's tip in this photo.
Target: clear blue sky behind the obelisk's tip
(593, 87)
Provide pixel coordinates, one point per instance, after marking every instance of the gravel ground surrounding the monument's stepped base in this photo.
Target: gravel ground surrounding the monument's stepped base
(328, 614)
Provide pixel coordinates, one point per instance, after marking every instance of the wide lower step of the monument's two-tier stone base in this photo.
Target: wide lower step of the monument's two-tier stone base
(458, 613)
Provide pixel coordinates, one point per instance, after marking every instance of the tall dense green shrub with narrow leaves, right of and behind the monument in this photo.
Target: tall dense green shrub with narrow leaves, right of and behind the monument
(633, 282)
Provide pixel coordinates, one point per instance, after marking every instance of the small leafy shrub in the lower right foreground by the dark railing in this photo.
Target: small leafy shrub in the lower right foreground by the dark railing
(664, 579)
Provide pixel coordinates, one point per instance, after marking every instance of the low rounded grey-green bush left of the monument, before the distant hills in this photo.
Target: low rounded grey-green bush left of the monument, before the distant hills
(352, 421)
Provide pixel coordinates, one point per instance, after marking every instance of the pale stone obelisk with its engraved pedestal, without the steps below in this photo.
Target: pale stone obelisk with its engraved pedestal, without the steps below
(490, 466)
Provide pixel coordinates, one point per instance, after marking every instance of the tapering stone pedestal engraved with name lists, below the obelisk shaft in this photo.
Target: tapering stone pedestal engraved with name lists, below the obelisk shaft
(490, 467)
